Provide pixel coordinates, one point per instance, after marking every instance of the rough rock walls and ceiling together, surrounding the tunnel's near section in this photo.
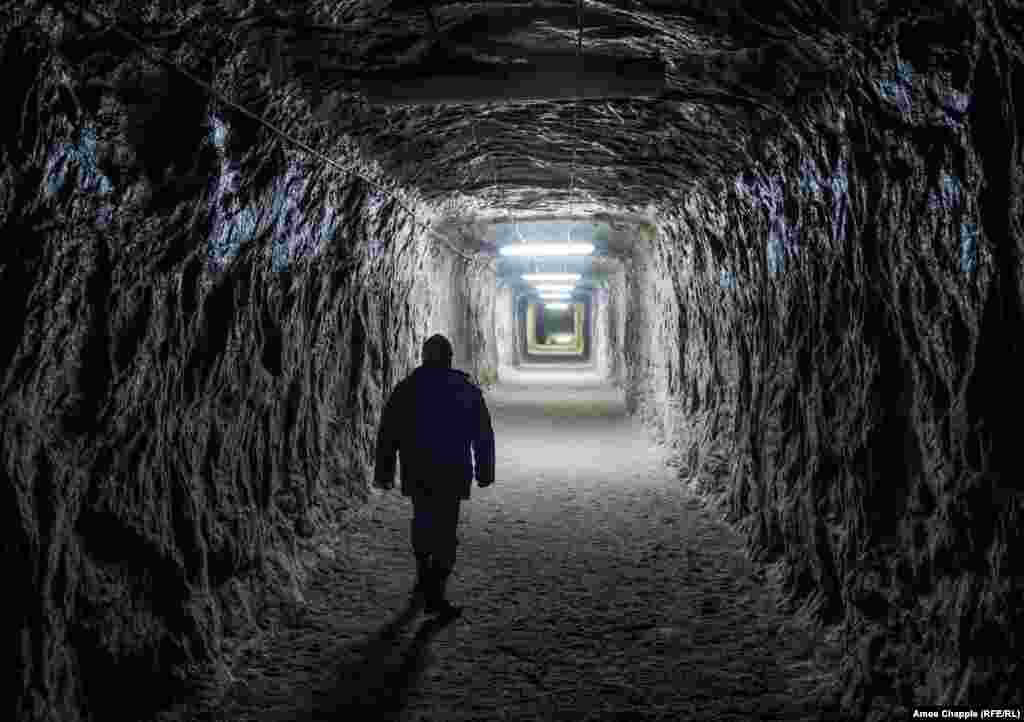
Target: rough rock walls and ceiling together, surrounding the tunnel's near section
(204, 320)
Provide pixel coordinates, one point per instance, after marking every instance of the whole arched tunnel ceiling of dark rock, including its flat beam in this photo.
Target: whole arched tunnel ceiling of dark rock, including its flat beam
(486, 105)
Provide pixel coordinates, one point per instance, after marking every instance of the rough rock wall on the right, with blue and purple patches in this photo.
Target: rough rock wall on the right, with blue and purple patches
(848, 360)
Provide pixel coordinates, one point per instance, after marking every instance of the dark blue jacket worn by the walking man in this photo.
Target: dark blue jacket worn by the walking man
(433, 419)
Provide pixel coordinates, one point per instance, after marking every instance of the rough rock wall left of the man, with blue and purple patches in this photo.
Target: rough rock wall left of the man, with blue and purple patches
(199, 337)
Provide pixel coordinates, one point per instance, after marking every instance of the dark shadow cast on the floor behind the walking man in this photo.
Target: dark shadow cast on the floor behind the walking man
(375, 677)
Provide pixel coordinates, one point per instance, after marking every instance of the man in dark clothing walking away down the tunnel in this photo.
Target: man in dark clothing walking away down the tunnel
(433, 419)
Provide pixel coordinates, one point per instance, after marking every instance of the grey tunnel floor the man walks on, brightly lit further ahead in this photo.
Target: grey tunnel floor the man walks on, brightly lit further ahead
(595, 588)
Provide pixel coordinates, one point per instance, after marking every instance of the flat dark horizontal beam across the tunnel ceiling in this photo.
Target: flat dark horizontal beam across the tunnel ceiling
(551, 78)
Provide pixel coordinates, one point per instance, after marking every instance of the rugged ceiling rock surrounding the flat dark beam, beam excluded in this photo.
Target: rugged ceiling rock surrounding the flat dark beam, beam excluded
(726, 65)
